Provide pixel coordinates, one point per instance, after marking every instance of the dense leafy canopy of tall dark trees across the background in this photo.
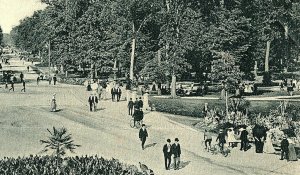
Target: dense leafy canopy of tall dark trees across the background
(159, 39)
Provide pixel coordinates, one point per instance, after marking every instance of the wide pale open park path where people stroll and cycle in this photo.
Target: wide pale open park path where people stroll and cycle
(24, 118)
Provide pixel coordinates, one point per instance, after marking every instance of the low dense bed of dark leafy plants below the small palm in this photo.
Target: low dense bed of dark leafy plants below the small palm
(48, 165)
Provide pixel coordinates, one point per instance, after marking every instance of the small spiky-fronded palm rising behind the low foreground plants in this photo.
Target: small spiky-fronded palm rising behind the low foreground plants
(59, 141)
